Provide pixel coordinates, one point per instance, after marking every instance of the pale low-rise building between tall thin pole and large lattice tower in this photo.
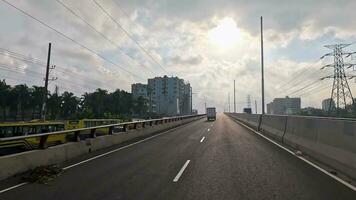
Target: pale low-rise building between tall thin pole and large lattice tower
(284, 106)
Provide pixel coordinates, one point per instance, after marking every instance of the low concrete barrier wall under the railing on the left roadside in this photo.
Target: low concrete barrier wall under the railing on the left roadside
(22, 162)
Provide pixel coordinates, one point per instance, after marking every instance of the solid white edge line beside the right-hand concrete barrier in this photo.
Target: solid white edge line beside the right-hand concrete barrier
(301, 158)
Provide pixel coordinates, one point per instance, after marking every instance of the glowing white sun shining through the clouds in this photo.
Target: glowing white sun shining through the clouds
(226, 34)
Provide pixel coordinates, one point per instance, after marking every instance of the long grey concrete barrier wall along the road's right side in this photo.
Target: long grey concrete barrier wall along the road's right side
(331, 141)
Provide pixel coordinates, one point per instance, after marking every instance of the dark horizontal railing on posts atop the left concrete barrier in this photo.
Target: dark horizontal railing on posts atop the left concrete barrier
(77, 133)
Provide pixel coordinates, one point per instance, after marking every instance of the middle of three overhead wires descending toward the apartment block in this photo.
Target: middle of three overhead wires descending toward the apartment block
(102, 34)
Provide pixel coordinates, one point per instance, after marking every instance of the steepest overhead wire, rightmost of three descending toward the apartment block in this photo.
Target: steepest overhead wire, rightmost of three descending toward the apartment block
(128, 34)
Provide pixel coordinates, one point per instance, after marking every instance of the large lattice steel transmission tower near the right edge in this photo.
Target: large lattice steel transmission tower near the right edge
(341, 93)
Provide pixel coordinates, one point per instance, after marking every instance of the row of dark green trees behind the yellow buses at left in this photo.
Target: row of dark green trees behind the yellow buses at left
(21, 102)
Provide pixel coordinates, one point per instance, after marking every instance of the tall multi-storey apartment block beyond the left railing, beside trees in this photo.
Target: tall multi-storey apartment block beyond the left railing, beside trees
(167, 96)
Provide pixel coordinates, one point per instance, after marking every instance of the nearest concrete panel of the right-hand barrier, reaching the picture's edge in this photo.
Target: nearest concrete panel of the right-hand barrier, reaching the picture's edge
(330, 141)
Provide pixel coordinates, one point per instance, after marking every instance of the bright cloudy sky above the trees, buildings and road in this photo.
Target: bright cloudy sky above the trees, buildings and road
(113, 43)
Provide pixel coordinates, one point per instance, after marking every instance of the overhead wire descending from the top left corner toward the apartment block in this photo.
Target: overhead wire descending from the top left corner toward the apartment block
(69, 38)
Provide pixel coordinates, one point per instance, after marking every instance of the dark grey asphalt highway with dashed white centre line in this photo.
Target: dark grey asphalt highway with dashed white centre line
(201, 160)
